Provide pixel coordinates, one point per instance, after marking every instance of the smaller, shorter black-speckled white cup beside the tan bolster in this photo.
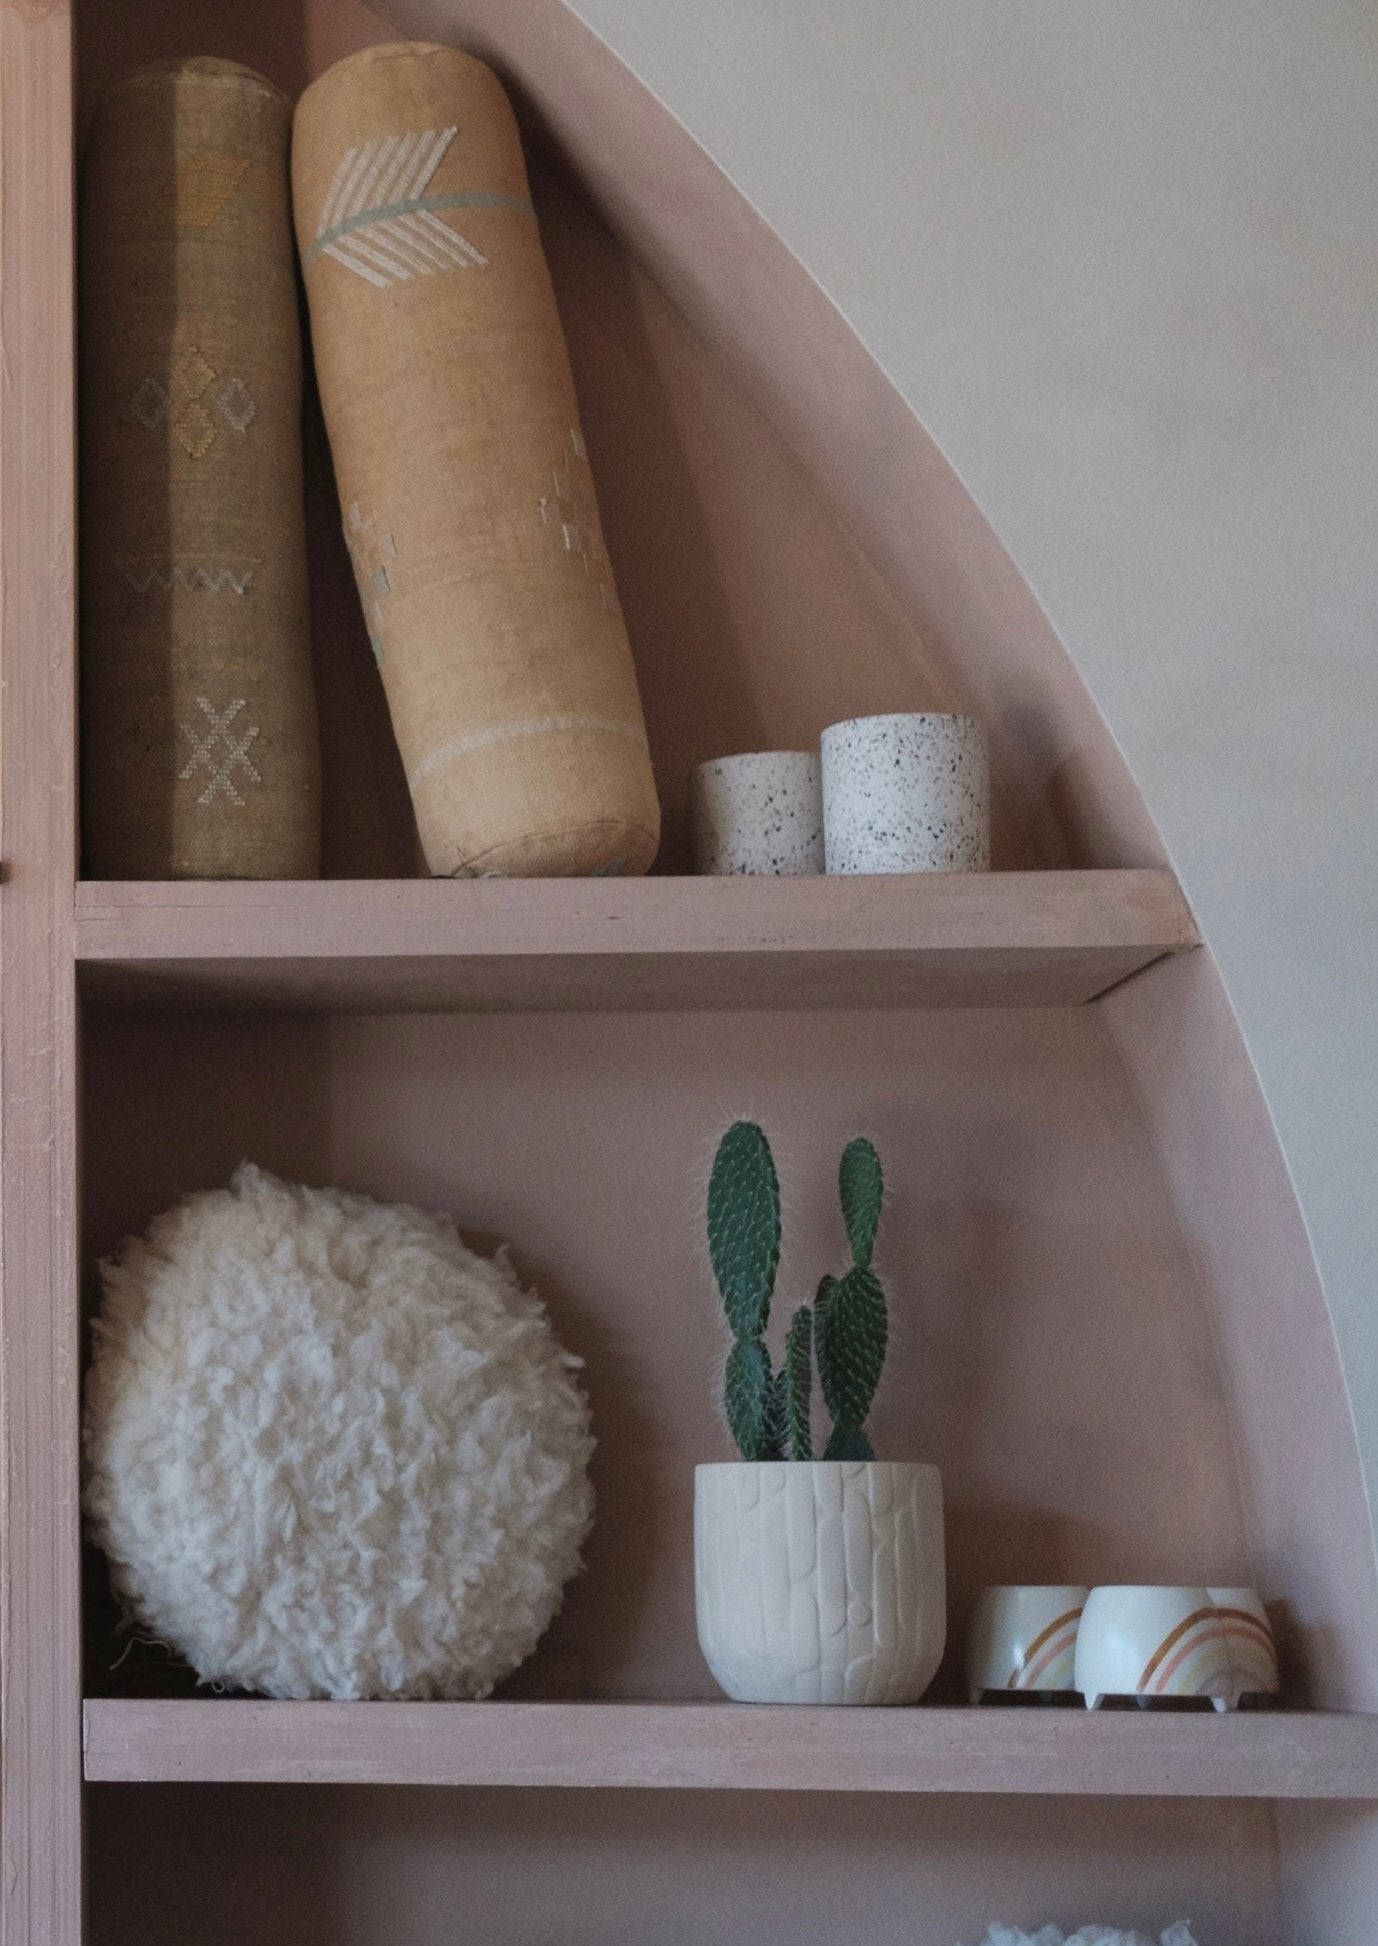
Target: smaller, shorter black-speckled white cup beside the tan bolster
(758, 814)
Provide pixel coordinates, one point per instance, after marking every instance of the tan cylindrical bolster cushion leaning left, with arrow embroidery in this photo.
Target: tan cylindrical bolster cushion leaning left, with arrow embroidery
(462, 470)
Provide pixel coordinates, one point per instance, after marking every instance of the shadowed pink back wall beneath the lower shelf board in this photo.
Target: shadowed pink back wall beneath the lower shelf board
(345, 1867)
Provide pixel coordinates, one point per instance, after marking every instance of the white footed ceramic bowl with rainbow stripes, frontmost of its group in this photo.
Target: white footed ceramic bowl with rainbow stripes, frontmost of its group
(1153, 1643)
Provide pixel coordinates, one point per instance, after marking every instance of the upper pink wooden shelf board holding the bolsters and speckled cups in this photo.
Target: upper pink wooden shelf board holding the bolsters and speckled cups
(1003, 939)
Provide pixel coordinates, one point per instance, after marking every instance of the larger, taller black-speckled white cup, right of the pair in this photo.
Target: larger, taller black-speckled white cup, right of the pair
(908, 795)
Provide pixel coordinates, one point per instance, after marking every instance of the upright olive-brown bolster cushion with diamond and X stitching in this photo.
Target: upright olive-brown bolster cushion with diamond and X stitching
(198, 711)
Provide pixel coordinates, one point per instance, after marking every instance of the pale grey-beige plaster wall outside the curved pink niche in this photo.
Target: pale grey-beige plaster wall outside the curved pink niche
(1120, 260)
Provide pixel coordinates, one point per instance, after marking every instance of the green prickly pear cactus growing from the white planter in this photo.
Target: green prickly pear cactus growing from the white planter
(846, 1332)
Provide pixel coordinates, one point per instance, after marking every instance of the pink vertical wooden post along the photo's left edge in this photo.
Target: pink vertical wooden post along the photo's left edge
(40, 1603)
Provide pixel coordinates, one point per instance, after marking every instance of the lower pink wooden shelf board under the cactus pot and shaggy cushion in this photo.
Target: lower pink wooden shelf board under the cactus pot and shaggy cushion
(725, 1747)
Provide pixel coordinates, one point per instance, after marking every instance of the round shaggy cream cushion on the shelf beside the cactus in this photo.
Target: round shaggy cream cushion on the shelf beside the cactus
(332, 1453)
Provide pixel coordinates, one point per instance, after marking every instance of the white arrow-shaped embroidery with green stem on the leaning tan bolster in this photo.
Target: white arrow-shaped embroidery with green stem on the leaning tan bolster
(381, 223)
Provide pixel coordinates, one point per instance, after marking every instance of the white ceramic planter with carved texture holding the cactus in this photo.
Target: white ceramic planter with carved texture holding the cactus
(820, 1581)
